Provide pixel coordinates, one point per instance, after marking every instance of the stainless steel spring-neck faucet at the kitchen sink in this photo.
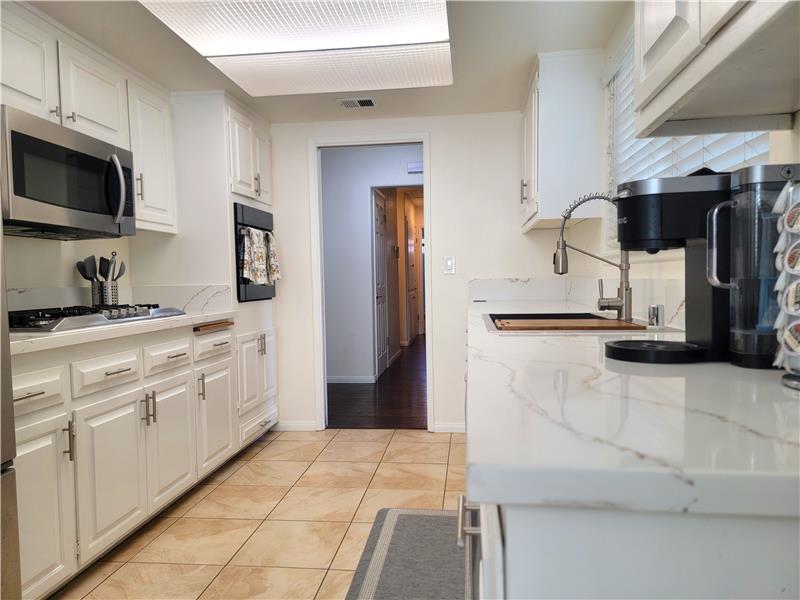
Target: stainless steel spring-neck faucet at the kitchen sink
(622, 302)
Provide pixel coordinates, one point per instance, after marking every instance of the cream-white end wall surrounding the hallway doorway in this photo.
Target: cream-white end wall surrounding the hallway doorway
(475, 167)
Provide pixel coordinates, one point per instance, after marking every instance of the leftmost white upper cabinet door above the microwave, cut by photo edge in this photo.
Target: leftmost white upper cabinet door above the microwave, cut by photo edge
(29, 67)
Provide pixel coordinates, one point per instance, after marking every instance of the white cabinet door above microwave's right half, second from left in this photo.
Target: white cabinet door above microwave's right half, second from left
(93, 95)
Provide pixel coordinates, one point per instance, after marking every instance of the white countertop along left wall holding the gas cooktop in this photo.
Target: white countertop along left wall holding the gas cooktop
(23, 343)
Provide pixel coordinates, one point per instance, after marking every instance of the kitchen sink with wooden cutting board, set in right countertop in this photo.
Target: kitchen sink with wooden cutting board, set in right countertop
(556, 322)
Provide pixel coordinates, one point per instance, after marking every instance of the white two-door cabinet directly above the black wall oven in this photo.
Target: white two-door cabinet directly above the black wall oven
(250, 157)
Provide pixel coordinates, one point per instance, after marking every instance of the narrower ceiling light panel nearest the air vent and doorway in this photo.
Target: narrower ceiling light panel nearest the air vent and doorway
(419, 65)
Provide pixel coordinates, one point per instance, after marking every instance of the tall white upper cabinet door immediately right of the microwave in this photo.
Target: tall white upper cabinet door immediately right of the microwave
(151, 143)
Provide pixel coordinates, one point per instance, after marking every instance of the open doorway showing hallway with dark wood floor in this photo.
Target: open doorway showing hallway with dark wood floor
(373, 249)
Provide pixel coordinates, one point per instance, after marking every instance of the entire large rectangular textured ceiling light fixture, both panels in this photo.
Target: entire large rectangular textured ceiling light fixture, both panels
(279, 47)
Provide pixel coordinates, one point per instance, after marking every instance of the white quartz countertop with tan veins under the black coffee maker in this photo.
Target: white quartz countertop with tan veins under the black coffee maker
(552, 422)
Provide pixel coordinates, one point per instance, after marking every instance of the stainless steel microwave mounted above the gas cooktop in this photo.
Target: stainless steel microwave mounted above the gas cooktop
(60, 184)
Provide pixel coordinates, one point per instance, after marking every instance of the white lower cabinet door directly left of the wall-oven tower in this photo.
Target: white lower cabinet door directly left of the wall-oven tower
(216, 415)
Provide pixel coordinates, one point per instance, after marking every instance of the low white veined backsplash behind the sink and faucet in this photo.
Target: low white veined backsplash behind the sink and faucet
(584, 290)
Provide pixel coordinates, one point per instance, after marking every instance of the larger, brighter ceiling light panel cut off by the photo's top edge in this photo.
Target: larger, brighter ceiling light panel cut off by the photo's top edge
(229, 27)
